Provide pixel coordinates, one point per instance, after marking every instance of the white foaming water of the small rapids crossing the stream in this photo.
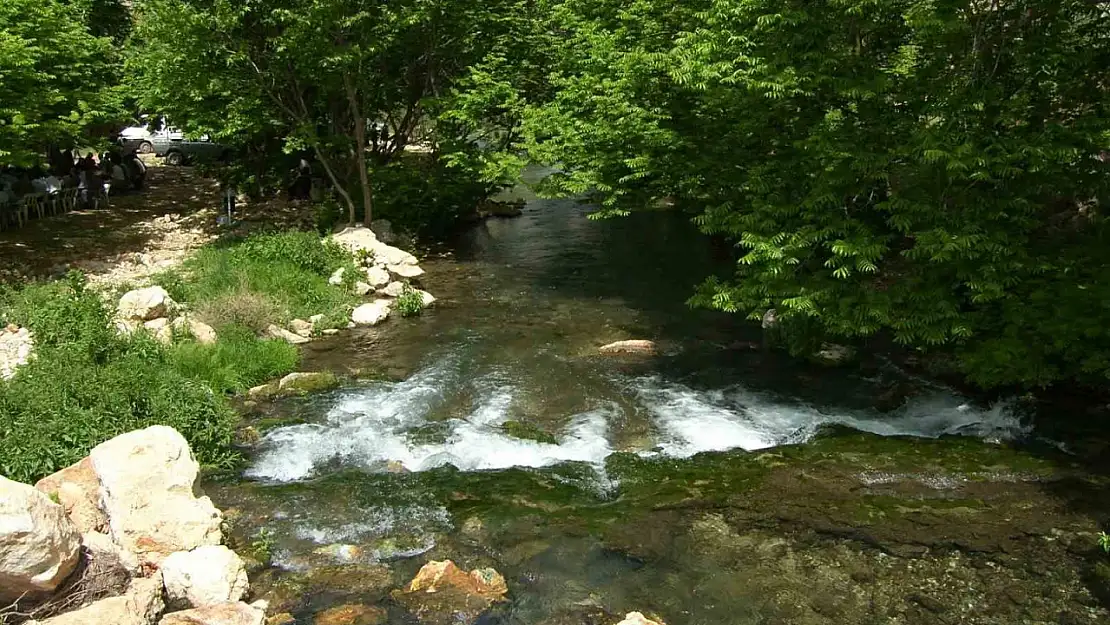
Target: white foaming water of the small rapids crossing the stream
(372, 427)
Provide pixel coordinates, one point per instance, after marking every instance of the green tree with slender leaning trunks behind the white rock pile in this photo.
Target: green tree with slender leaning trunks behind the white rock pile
(355, 83)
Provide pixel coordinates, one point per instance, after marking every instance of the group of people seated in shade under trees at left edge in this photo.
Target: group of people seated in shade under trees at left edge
(93, 177)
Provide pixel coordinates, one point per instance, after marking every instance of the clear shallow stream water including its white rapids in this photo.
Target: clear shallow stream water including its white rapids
(490, 431)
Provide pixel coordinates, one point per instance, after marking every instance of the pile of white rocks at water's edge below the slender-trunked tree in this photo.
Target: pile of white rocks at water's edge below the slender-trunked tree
(387, 273)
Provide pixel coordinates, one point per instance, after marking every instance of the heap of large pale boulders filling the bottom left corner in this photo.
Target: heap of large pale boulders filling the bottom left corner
(133, 502)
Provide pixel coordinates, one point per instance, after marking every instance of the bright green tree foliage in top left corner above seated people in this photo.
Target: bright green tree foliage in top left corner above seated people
(55, 76)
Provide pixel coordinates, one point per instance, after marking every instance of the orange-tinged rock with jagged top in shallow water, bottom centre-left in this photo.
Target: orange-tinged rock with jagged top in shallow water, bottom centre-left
(442, 593)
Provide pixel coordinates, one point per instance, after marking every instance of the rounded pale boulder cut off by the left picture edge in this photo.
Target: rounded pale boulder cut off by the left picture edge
(39, 547)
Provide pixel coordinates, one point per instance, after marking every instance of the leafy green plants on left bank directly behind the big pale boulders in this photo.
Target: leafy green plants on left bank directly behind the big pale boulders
(88, 385)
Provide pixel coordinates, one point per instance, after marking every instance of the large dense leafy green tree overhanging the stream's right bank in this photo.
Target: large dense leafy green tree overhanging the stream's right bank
(923, 169)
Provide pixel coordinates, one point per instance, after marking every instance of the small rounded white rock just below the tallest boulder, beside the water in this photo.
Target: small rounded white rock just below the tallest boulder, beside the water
(207, 576)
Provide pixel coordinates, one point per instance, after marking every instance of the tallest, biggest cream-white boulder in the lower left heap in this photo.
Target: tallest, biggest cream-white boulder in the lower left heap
(148, 482)
